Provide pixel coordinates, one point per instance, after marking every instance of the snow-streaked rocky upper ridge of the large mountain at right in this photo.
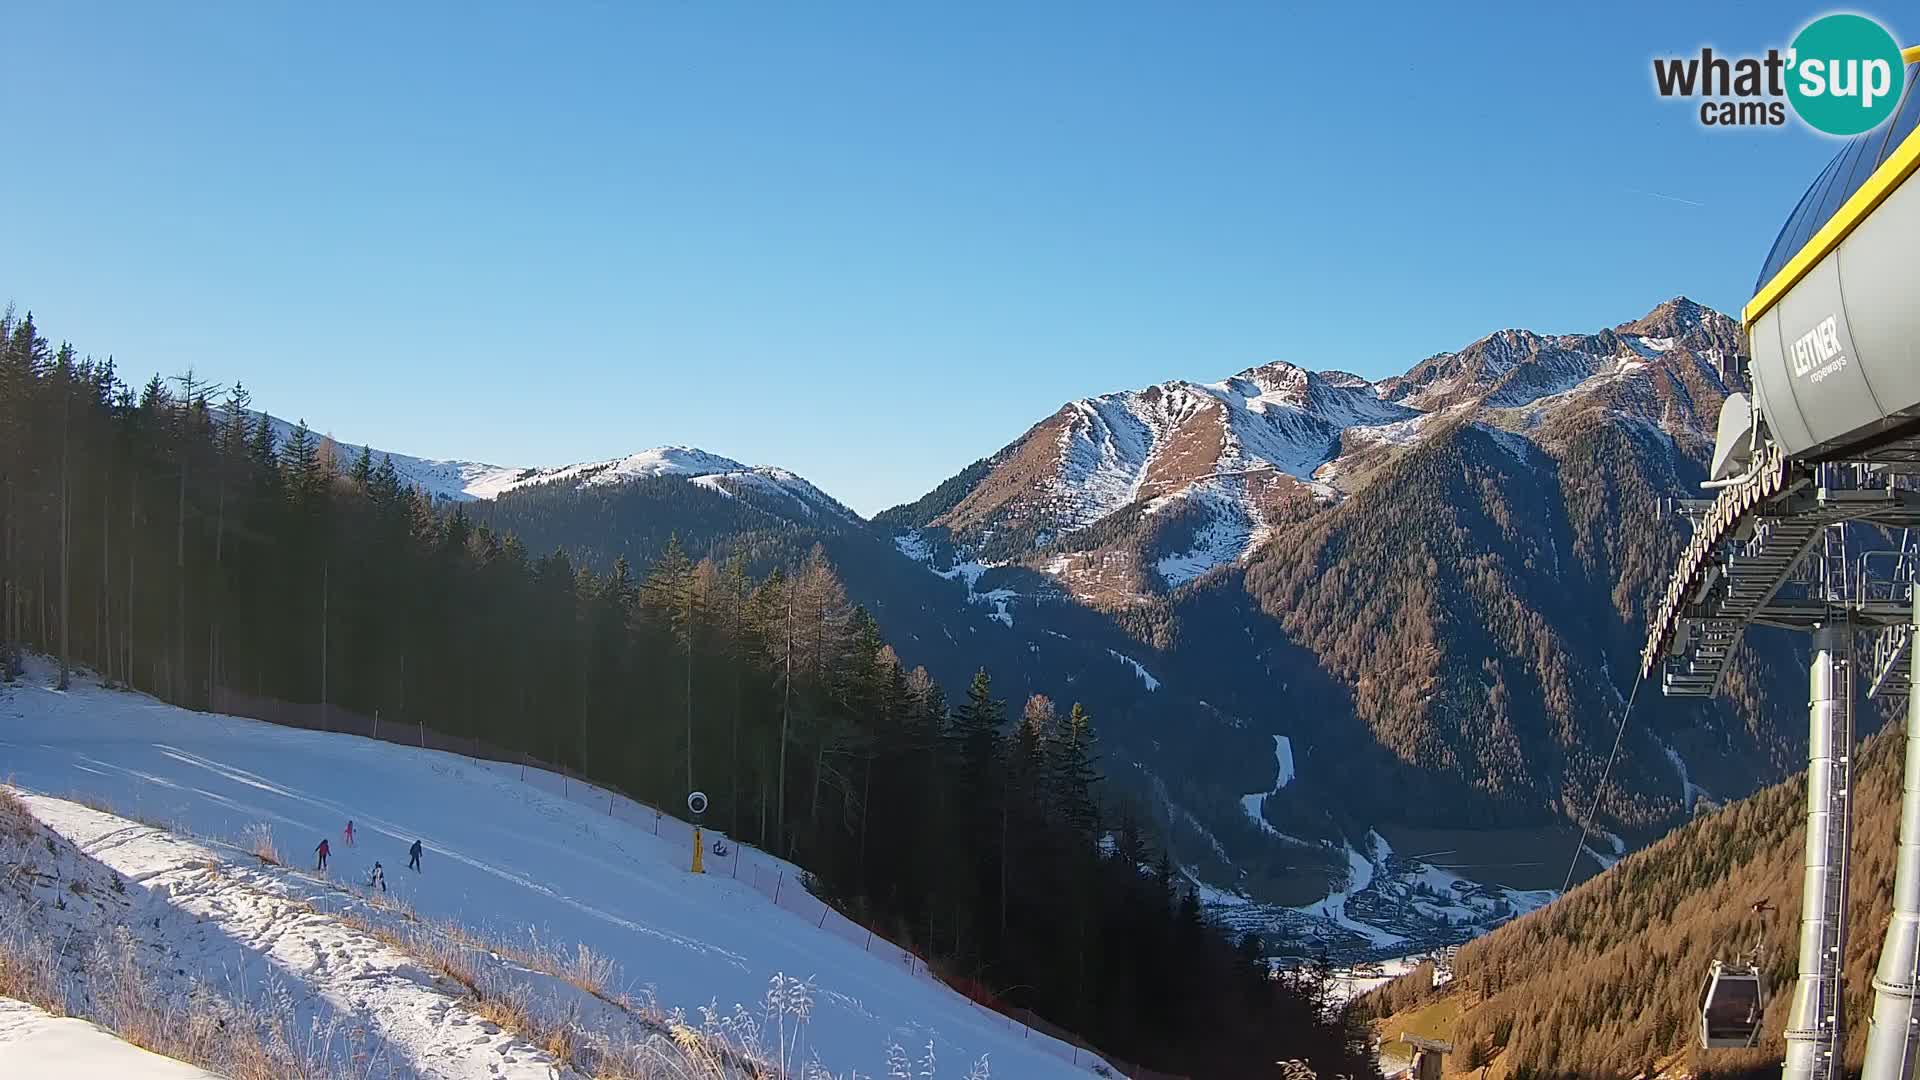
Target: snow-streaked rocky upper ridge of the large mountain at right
(1232, 454)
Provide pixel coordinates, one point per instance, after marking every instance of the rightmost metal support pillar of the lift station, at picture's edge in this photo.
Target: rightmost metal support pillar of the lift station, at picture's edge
(1894, 1041)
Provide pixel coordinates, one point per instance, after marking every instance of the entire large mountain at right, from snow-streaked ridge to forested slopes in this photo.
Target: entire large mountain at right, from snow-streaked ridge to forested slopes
(1431, 585)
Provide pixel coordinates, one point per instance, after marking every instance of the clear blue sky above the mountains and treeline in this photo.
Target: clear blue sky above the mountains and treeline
(867, 243)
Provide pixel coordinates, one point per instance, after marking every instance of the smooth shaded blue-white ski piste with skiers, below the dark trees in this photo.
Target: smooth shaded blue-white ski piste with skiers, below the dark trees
(508, 854)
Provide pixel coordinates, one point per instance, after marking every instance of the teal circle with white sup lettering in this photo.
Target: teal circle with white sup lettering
(1846, 74)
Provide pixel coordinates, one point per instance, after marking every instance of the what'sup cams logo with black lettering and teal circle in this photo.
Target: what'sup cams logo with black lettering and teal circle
(1842, 76)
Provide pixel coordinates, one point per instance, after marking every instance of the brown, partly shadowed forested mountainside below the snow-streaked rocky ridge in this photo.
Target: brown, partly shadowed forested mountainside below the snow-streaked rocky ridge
(1485, 608)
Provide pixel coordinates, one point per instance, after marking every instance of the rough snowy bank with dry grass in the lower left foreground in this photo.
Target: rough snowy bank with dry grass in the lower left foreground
(91, 898)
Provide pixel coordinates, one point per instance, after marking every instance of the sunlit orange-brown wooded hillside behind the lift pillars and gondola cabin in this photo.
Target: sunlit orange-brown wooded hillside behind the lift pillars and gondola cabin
(1608, 979)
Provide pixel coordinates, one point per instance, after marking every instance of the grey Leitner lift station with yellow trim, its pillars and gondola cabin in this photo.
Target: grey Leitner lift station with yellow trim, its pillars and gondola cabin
(1831, 439)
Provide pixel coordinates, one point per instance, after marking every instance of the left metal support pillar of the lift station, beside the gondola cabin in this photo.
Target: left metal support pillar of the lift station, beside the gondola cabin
(1815, 1023)
